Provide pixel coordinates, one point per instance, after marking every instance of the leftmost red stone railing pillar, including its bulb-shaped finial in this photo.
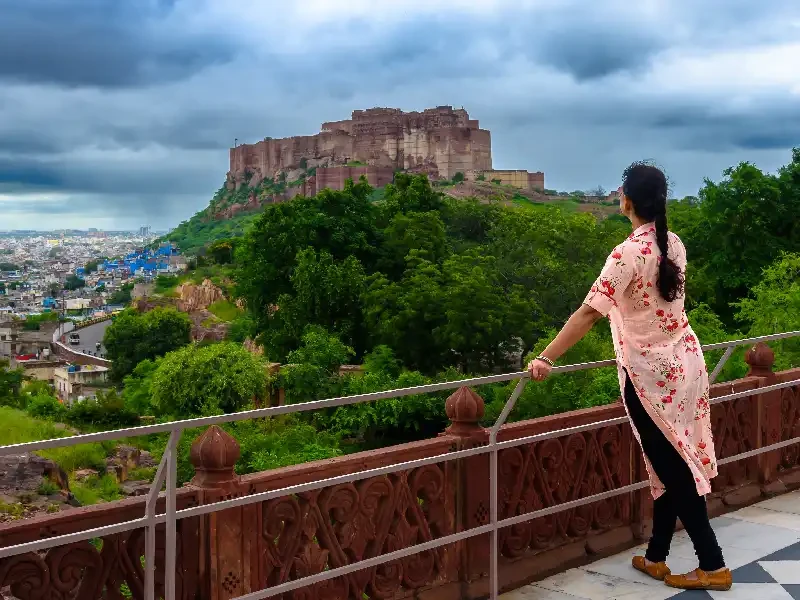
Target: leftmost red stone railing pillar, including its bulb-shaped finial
(226, 537)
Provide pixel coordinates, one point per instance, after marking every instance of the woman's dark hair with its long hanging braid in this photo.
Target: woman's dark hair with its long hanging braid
(646, 187)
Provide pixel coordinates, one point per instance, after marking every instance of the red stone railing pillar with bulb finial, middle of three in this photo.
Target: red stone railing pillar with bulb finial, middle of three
(465, 409)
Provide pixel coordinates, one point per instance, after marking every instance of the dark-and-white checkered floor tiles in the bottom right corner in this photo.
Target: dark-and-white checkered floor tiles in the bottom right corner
(773, 577)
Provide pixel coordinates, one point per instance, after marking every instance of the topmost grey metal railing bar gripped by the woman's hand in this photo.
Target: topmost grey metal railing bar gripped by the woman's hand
(320, 404)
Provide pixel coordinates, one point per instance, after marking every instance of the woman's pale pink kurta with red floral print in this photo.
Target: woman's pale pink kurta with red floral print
(655, 343)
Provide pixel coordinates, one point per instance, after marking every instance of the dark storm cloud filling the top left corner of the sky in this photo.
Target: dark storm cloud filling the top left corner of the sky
(107, 43)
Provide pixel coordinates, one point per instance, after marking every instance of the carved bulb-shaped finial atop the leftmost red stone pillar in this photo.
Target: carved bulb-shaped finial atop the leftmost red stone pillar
(214, 455)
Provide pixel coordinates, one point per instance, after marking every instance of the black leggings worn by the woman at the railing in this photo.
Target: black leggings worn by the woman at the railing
(680, 499)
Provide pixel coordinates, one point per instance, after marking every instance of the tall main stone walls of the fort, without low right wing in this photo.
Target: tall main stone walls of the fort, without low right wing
(439, 141)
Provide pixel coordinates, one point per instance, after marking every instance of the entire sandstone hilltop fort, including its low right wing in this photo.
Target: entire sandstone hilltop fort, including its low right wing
(376, 143)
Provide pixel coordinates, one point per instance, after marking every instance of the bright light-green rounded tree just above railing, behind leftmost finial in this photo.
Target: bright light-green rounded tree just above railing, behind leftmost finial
(207, 380)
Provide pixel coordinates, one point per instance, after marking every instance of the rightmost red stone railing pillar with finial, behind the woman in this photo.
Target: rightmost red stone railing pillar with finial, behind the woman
(761, 360)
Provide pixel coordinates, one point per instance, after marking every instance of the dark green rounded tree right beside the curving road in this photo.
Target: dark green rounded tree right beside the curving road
(134, 337)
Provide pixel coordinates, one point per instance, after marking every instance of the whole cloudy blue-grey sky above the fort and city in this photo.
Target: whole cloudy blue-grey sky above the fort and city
(119, 113)
